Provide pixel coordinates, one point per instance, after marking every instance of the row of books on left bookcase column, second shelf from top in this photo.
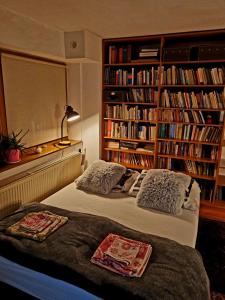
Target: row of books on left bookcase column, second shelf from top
(148, 76)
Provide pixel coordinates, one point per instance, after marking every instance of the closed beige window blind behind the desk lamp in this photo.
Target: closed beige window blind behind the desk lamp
(35, 96)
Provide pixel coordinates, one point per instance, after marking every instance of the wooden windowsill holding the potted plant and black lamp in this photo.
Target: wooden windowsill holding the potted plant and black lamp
(30, 154)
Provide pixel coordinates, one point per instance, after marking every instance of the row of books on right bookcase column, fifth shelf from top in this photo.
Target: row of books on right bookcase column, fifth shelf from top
(190, 132)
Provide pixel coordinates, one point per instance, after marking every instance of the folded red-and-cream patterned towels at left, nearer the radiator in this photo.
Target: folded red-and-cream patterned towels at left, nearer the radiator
(37, 225)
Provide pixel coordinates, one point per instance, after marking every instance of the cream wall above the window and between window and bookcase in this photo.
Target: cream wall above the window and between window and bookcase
(28, 36)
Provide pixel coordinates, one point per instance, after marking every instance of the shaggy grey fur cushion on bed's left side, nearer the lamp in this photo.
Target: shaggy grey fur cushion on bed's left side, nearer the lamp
(100, 177)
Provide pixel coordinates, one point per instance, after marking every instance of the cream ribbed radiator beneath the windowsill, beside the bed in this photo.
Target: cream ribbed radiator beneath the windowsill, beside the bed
(38, 184)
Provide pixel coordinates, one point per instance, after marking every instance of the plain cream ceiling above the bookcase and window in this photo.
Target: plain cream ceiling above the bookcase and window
(118, 18)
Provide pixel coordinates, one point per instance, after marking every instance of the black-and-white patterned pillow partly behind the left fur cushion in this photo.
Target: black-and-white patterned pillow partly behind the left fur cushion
(126, 181)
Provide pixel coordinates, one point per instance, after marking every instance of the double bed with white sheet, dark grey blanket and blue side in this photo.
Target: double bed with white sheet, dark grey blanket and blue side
(173, 235)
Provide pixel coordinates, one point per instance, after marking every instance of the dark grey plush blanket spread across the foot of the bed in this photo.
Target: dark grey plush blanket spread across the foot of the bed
(174, 271)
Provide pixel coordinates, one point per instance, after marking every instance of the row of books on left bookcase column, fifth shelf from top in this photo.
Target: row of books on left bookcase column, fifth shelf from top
(129, 130)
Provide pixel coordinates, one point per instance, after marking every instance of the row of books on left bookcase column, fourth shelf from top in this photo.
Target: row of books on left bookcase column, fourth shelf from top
(127, 112)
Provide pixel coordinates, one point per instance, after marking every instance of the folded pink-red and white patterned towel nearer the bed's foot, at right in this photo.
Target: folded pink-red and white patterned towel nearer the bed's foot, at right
(122, 255)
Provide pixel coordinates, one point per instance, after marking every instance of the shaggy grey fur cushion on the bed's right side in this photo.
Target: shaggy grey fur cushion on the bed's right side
(162, 190)
